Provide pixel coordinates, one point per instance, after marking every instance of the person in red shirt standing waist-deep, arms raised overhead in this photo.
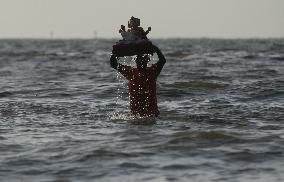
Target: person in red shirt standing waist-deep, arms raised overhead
(142, 83)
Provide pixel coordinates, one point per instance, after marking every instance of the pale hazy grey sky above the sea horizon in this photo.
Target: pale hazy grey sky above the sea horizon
(168, 18)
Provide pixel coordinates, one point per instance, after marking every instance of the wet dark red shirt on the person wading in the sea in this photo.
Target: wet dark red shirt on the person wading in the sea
(142, 90)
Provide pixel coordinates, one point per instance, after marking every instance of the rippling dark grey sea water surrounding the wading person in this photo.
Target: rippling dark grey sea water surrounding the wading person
(64, 113)
